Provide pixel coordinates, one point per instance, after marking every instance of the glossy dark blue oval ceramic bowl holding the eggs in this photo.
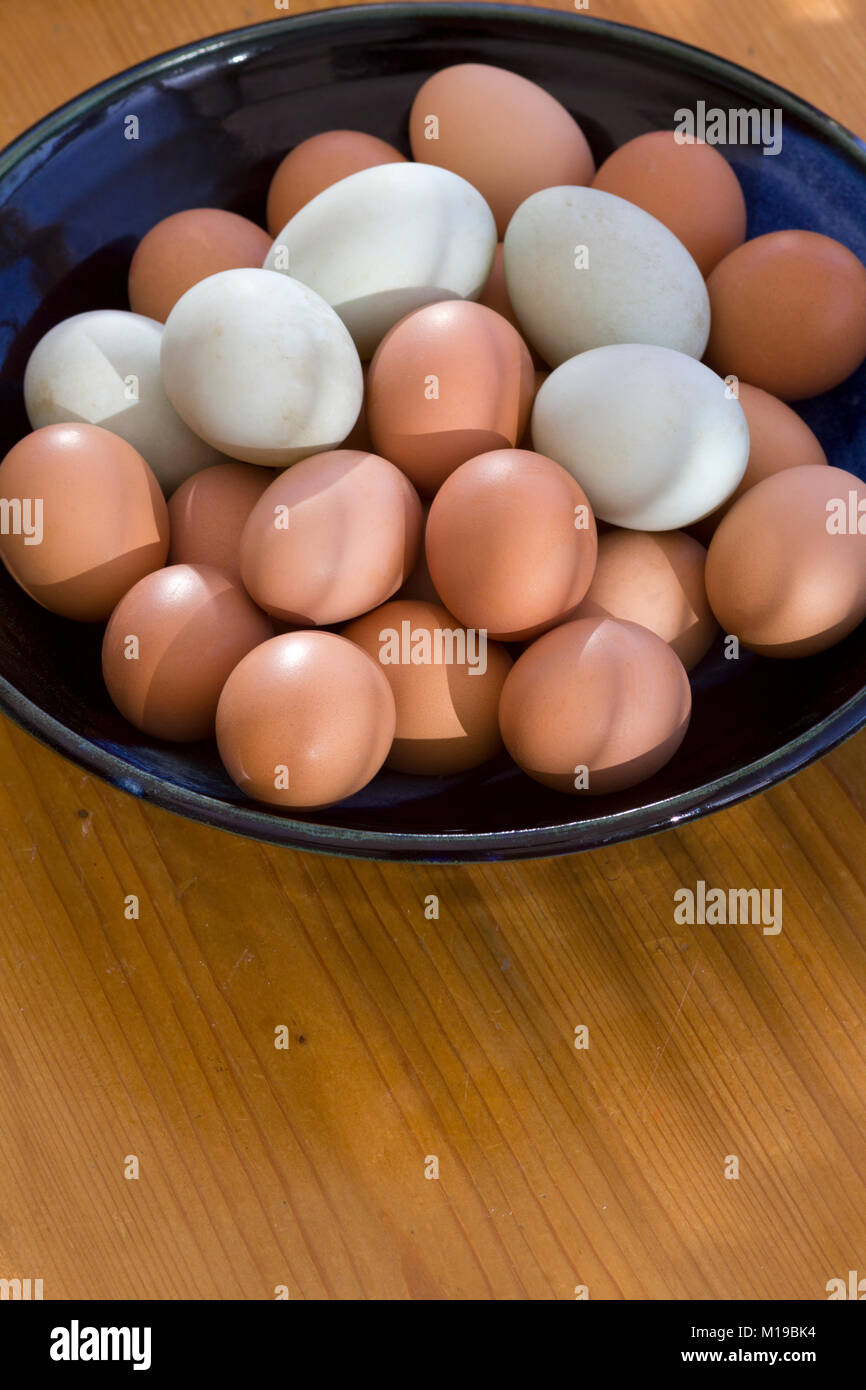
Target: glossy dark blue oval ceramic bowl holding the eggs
(213, 122)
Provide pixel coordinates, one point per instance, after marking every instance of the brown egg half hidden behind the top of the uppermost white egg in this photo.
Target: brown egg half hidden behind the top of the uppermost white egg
(316, 165)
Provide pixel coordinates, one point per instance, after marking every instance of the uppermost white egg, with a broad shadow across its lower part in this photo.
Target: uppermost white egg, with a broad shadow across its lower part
(387, 241)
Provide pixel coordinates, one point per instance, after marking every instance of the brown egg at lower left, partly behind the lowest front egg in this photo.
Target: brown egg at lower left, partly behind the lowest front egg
(173, 643)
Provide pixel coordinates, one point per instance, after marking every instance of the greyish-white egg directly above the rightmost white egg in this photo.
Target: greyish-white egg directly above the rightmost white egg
(586, 269)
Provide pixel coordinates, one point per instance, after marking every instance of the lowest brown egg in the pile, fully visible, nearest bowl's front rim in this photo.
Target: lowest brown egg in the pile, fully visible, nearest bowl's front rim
(305, 721)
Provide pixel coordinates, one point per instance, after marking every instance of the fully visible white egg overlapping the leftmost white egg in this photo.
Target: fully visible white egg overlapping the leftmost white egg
(262, 368)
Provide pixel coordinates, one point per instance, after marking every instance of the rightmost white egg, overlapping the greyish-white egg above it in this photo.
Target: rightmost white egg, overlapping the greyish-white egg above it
(653, 436)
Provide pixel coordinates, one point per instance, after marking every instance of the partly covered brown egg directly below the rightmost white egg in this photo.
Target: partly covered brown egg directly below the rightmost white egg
(654, 579)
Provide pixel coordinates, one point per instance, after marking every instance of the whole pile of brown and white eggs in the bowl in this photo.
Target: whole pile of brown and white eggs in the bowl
(471, 451)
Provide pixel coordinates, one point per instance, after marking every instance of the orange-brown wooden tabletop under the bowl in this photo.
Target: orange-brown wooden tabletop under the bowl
(423, 1047)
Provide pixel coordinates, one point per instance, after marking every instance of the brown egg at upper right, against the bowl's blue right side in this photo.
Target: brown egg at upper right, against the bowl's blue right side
(789, 315)
